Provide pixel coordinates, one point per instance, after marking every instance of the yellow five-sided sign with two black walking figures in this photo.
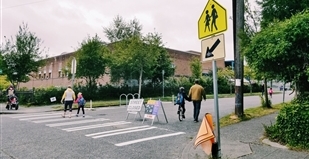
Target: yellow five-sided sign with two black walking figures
(213, 20)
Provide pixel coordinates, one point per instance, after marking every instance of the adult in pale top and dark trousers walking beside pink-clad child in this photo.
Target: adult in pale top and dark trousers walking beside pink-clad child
(68, 98)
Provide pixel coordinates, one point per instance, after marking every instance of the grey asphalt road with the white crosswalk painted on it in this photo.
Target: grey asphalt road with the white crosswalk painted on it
(105, 133)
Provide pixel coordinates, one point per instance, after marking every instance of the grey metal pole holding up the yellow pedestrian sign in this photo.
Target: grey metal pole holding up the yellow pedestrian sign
(216, 106)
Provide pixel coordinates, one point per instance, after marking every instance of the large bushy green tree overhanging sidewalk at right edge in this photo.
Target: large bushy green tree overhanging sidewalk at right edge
(280, 51)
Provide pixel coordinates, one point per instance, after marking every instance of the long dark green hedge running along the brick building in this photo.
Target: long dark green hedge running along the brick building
(41, 96)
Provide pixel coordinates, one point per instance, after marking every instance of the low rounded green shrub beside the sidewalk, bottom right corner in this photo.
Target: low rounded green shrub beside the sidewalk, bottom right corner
(291, 127)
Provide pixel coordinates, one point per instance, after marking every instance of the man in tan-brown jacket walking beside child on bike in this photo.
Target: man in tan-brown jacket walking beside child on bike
(196, 94)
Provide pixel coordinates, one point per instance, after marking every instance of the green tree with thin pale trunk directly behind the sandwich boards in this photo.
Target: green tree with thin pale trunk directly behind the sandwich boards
(133, 57)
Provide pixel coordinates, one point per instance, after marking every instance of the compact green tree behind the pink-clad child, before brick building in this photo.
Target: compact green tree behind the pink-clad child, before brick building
(91, 60)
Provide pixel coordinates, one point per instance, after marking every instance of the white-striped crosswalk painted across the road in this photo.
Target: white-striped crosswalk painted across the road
(55, 120)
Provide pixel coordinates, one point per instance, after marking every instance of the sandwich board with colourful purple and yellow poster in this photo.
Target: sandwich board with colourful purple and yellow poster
(152, 110)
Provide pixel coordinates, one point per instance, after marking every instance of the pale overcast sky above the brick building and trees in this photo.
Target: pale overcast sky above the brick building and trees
(63, 24)
